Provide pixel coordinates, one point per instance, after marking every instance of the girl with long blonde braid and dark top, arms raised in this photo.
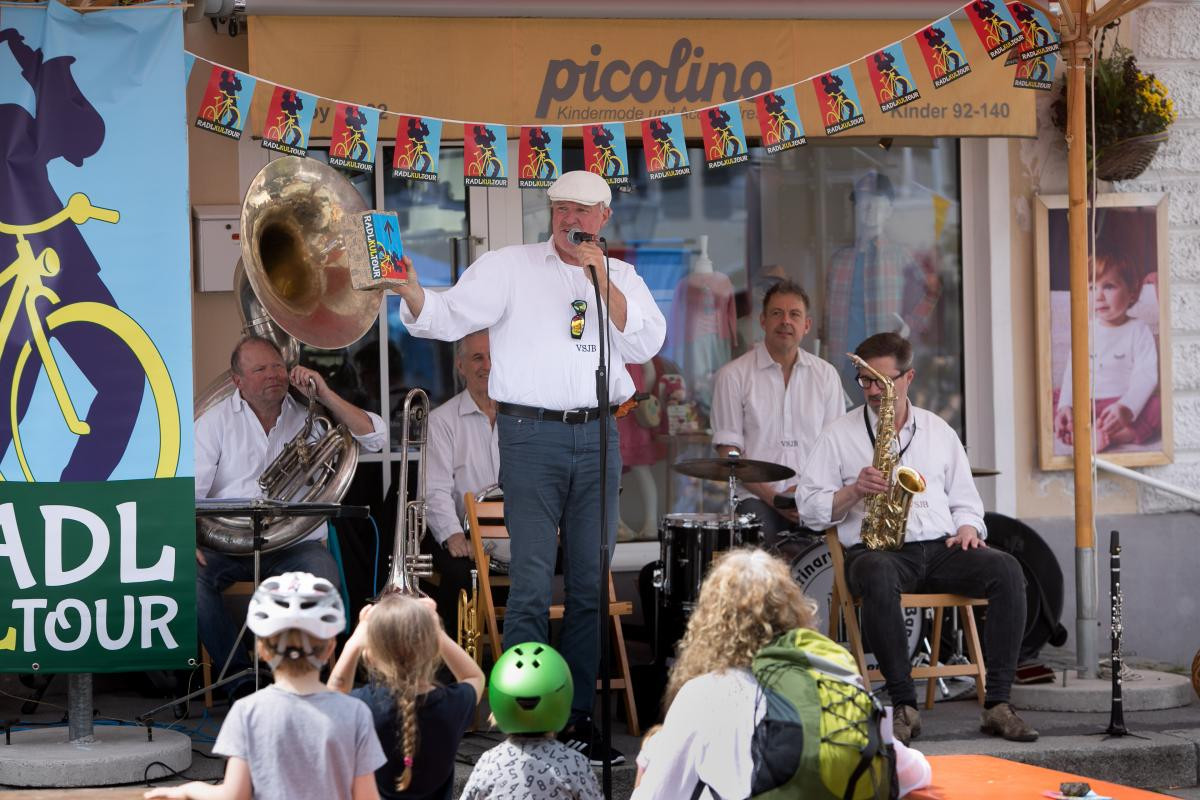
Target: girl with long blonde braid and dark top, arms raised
(419, 724)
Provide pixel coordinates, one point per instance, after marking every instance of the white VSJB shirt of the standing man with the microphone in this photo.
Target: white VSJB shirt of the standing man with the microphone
(524, 296)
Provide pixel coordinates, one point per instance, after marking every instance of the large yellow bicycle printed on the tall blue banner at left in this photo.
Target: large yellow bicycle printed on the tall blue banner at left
(27, 275)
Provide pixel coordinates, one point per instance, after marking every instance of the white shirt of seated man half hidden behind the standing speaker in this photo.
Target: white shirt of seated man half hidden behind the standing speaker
(464, 458)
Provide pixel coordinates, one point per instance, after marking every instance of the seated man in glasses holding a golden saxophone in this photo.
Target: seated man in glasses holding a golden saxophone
(896, 482)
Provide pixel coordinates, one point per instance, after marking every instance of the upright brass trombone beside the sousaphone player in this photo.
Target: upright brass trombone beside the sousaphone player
(409, 564)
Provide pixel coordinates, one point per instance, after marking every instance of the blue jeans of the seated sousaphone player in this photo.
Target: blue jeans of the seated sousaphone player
(218, 631)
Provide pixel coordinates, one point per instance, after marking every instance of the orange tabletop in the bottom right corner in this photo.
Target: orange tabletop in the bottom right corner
(986, 778)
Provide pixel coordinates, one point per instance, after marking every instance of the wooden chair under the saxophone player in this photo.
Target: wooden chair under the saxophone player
(843, 609)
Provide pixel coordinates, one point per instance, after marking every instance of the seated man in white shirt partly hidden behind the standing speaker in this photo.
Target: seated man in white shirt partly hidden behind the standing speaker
(463, 456)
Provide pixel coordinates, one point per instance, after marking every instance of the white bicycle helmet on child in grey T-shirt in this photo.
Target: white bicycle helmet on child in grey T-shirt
(297, 600)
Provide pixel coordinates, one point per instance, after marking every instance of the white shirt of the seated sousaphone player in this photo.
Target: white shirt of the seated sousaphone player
(232, 449)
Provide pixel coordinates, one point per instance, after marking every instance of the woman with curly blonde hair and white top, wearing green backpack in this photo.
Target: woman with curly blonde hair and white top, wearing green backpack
(713, 701)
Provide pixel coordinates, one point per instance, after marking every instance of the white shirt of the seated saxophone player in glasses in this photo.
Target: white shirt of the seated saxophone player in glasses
(931, 447)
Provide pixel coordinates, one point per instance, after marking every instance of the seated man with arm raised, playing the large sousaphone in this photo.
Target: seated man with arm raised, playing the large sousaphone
(236, 442)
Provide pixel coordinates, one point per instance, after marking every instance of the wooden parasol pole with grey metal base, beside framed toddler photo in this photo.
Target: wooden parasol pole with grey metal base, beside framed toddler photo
(1079, 51)
